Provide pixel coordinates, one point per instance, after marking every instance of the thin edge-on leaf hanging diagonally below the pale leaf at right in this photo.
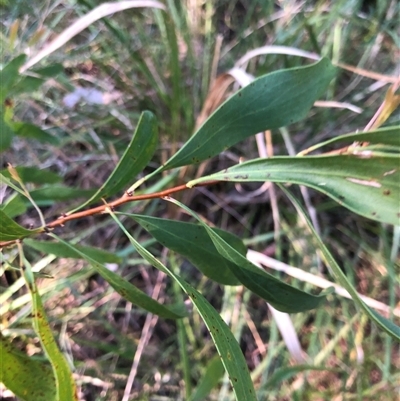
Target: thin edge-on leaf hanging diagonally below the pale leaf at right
(387, 325)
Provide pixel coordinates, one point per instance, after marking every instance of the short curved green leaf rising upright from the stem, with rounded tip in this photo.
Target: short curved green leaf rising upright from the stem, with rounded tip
(133, 161)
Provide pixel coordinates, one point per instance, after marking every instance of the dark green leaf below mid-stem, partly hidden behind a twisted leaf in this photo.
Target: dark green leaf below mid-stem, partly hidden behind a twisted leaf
(192, 241)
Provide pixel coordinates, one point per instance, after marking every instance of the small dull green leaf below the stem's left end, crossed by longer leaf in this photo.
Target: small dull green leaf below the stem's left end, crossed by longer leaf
(63, 251)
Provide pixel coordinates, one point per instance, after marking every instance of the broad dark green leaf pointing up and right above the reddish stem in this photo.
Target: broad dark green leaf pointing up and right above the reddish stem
(271, 101)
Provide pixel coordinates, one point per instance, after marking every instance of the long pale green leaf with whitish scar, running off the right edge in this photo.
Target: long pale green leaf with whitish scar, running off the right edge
(367, 185)
